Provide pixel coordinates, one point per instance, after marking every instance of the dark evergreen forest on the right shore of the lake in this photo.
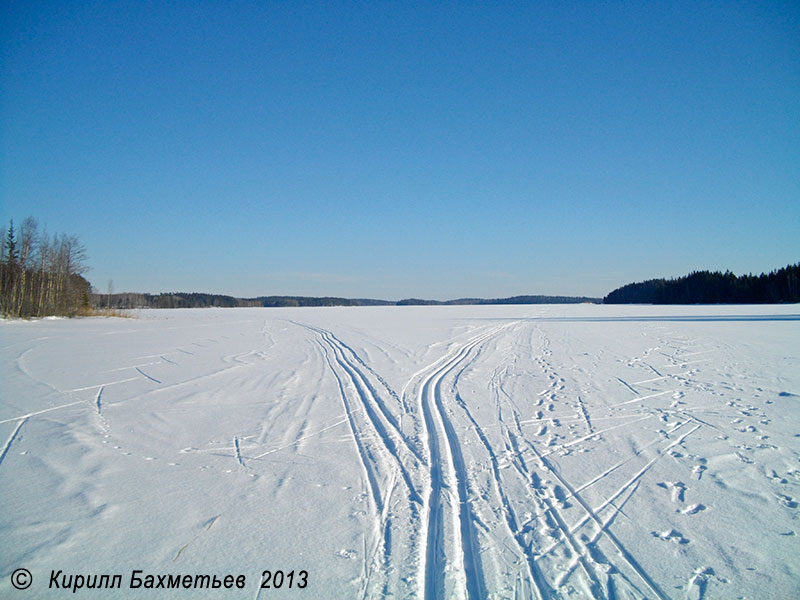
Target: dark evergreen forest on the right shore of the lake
(705, 287)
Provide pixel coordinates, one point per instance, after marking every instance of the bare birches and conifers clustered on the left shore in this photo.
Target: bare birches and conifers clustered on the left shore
(42, 274)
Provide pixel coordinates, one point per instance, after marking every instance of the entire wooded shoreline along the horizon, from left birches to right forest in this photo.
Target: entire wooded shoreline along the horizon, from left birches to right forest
(42, 274)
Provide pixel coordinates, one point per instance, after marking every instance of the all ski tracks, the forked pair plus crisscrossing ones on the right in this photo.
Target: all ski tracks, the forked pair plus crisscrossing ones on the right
(425, 462)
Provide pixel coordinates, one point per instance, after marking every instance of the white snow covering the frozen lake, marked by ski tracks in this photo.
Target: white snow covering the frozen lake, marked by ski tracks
(439, 452)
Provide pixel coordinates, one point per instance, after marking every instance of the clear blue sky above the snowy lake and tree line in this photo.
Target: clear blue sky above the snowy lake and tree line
(388, 150)
